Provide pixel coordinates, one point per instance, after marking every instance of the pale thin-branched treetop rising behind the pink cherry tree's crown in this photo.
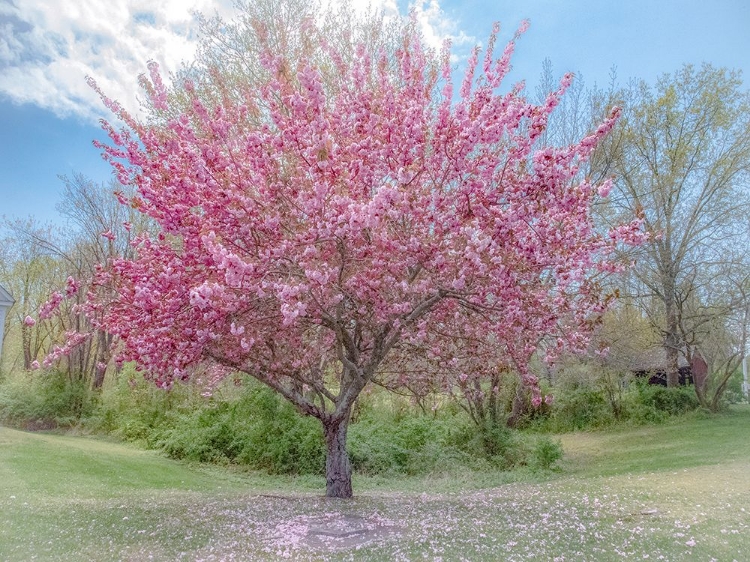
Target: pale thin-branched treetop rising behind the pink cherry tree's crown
(227, 63)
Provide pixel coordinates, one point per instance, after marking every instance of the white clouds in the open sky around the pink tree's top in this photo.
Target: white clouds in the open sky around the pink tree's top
(48, 48)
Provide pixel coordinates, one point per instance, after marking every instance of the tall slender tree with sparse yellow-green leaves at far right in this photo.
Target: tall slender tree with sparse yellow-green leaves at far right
(681, 157)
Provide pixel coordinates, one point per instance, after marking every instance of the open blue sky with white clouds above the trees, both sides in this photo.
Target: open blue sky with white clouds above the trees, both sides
(48, 117)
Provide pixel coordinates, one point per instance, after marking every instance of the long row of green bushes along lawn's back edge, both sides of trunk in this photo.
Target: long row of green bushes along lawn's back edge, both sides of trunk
(249, 424)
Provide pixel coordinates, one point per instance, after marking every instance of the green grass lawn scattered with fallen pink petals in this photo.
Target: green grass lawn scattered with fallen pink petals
(679, 491)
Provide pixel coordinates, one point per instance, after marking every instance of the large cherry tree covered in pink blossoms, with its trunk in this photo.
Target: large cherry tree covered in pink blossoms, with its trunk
(319, 233)
